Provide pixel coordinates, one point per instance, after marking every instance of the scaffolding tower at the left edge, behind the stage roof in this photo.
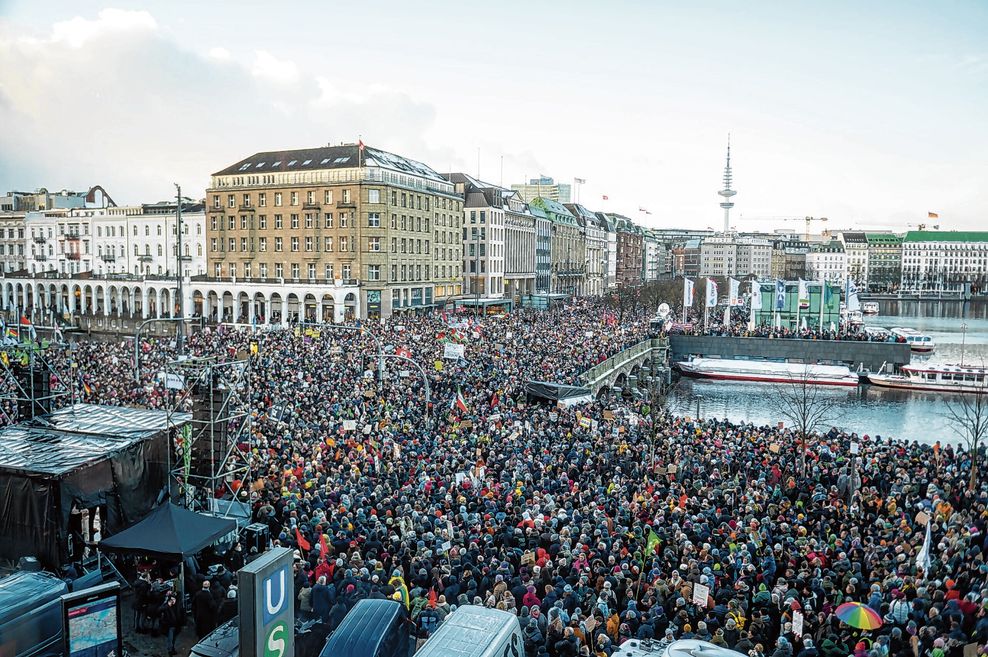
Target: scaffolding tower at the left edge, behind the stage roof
(30, 383)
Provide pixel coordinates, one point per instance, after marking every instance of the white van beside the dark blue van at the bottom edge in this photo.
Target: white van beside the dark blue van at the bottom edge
(473, 631)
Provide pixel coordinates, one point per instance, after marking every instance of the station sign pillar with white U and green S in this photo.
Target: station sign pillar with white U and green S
(266, 604)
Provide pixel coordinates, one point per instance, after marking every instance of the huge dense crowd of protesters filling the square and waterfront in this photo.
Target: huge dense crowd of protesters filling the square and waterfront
(592, 523)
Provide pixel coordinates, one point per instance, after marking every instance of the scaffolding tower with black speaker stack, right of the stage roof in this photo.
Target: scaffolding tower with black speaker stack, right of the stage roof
(211, 473)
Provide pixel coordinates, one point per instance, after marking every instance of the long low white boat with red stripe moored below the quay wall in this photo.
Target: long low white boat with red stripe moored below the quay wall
(768, 371)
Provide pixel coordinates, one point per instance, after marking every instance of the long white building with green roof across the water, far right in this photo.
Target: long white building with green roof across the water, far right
(944, 262)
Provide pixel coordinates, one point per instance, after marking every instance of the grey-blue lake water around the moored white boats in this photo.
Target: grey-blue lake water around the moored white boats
(867, 409)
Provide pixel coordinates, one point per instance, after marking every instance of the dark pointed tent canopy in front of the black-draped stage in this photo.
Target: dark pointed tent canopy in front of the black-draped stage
(170, 531)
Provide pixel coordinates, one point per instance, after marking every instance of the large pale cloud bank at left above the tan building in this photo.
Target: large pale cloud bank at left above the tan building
(113, 100)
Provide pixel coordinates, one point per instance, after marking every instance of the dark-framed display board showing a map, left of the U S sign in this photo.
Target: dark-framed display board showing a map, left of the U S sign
(91, 622)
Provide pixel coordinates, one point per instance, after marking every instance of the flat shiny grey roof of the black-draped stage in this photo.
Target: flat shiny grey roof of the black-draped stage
(55, 444)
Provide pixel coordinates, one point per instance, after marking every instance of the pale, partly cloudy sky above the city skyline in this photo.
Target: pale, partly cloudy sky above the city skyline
(869, 114)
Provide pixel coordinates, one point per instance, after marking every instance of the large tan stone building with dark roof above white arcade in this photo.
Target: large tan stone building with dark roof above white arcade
(343, 216)
